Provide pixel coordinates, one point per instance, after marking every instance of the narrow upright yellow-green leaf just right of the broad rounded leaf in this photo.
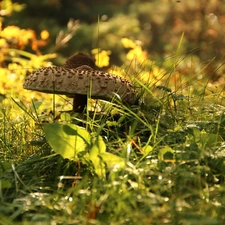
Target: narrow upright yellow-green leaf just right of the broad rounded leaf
(98, 147)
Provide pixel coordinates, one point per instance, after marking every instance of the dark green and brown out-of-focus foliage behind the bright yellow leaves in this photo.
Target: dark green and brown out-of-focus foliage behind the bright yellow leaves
(156, 25)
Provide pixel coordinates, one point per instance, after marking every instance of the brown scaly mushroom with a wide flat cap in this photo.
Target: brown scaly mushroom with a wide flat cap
(78, 79)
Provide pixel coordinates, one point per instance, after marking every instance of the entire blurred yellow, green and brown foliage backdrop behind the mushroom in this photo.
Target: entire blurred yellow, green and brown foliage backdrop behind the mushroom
(153, 48)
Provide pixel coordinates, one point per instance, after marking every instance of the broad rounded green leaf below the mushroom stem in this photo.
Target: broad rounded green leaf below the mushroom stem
(67, 140)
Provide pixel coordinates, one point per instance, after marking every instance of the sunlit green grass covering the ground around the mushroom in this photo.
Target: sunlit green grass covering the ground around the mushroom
(172, 146)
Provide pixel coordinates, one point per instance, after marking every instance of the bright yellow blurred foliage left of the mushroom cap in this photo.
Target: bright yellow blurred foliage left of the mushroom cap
(15, 62)
